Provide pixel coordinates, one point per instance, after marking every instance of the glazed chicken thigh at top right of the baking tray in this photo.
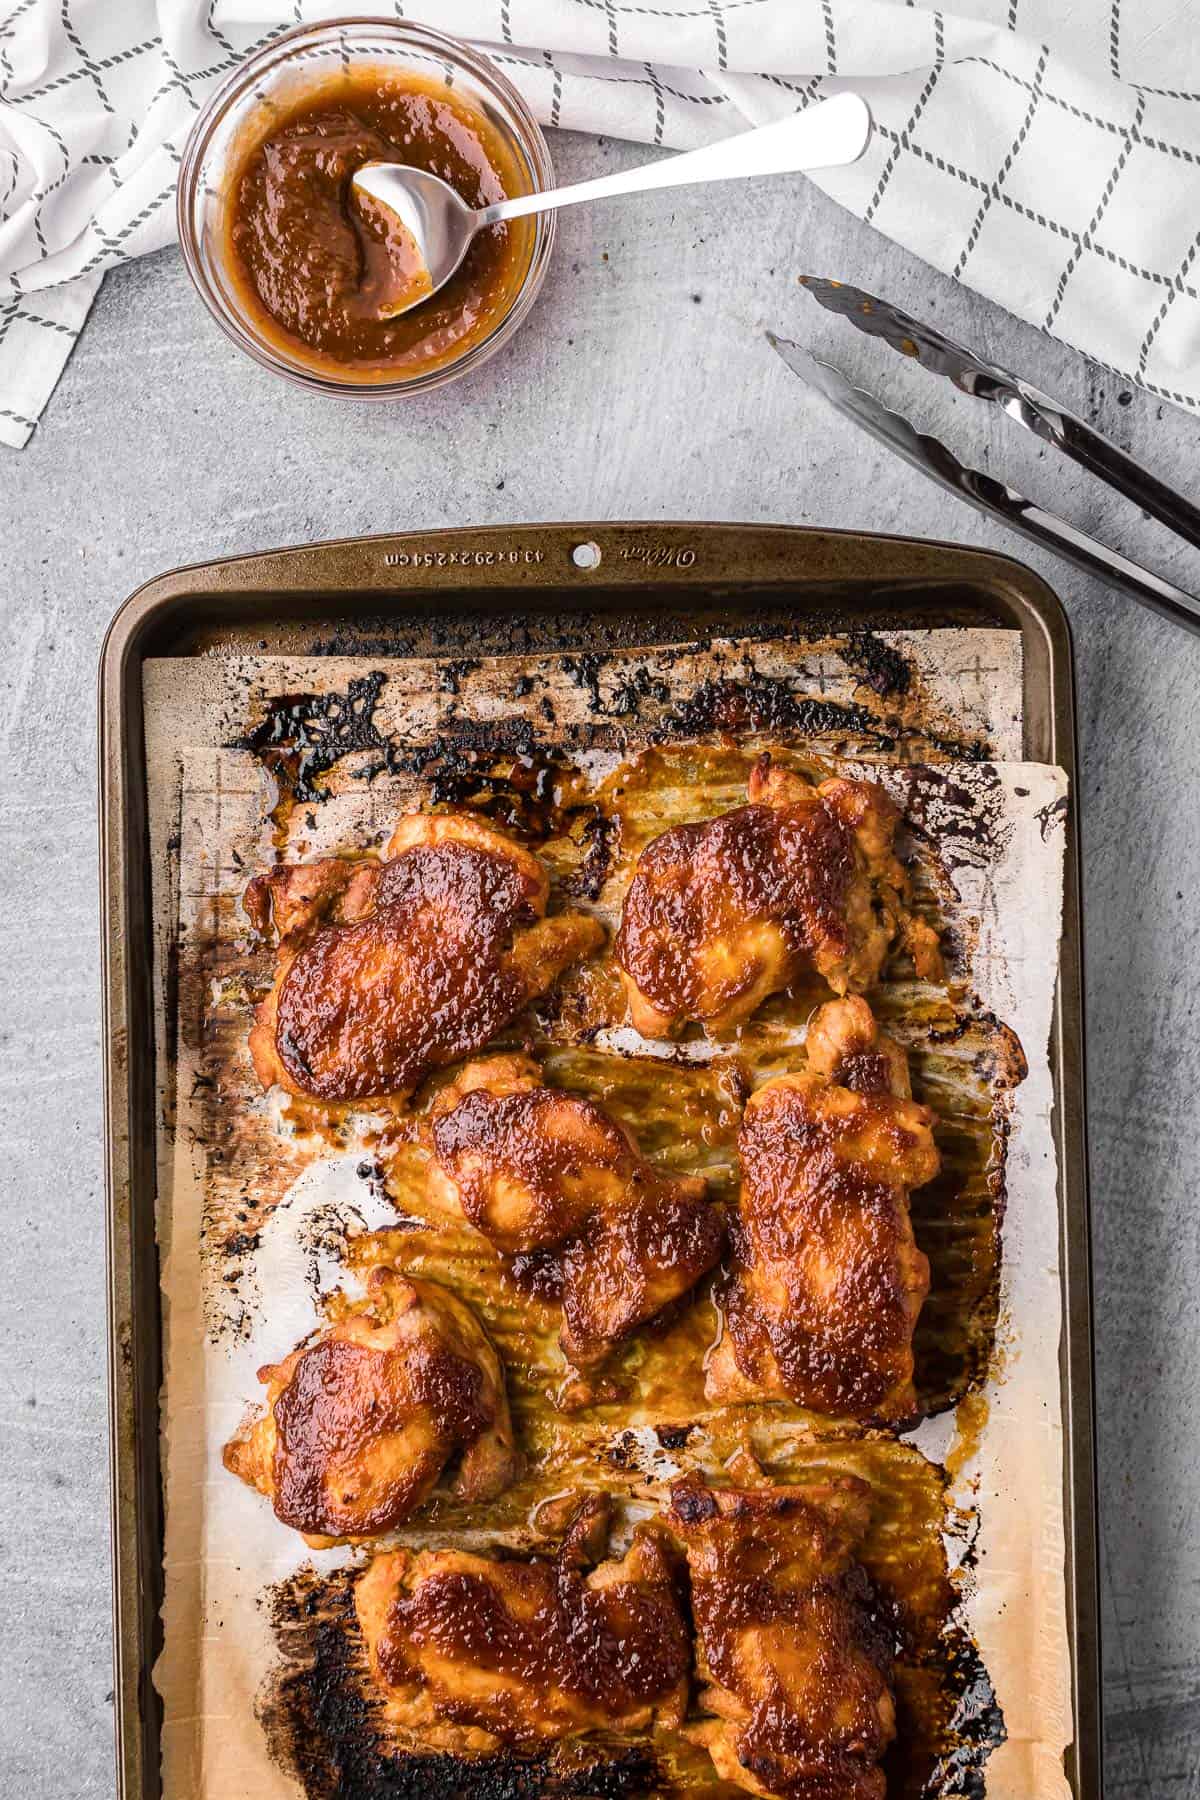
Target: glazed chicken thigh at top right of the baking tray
(724, 913)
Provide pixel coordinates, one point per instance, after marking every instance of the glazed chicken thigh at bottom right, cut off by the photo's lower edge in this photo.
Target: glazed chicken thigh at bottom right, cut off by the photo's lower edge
(796, 1668)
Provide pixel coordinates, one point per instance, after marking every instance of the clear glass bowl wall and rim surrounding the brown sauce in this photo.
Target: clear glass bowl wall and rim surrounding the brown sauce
(276, 80)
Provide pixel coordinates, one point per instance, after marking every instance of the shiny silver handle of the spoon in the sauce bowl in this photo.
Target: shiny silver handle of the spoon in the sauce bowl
(821, 138)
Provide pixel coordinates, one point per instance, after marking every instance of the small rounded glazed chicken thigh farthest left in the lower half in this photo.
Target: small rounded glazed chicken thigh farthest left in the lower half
(364, 1417)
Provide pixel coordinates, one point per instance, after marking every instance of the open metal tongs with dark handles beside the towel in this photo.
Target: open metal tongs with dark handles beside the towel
(1034, 409)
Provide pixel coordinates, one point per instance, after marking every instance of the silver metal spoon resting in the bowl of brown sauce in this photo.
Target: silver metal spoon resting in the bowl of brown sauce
(431, 228)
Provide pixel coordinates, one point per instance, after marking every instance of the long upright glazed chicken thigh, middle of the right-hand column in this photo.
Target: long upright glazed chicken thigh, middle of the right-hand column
(827, 1281)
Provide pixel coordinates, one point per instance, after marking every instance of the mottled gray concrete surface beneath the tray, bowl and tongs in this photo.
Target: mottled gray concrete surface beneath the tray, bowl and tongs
(641, 388)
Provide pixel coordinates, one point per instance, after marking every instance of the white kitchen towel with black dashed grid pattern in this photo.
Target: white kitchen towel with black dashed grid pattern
(1046, 154)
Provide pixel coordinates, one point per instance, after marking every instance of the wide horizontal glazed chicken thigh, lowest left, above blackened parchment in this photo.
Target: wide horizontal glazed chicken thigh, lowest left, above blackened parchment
(530, 1651)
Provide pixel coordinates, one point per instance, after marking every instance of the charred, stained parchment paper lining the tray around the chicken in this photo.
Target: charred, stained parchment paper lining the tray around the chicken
(258, 1219)
